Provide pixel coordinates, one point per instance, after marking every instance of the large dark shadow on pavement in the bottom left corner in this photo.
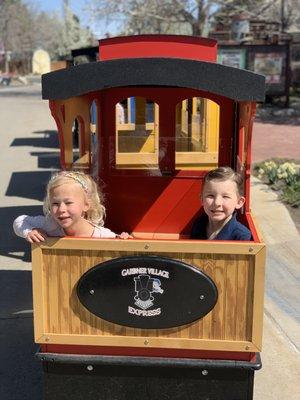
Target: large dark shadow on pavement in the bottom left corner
(20, 372)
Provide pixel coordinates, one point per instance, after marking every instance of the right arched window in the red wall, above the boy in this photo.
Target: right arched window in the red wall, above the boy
(197, 134)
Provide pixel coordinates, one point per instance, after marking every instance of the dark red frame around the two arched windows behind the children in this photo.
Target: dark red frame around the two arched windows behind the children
(158, 96)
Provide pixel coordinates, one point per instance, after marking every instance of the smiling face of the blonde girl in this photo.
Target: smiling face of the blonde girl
(68, 205)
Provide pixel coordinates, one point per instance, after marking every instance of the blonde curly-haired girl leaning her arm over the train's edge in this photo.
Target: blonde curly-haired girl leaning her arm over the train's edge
(72, 207)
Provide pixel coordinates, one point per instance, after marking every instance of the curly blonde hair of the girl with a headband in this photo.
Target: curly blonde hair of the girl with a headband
(96, 212)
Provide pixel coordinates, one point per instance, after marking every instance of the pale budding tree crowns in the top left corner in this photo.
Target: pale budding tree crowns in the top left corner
(24, 29)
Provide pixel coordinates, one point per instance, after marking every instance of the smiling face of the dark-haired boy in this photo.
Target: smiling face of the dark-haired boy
(220, 199)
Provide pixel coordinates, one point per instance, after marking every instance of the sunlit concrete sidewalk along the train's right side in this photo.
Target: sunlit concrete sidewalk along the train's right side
(279, 377)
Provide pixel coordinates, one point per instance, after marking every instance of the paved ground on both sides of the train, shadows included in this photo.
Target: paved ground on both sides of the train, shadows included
(29, 153)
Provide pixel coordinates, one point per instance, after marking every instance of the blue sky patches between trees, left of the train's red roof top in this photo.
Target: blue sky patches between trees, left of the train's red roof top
(77, 7)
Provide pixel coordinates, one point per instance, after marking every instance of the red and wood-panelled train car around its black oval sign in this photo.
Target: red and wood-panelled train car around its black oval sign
(154, 114)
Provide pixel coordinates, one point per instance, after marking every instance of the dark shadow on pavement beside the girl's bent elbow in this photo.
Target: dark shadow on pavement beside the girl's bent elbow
(11, 245)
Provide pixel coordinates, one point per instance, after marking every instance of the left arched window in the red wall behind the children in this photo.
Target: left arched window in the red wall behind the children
(136, 133)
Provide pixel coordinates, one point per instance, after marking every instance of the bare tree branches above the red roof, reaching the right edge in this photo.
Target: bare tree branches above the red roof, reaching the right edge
(184, 16)
